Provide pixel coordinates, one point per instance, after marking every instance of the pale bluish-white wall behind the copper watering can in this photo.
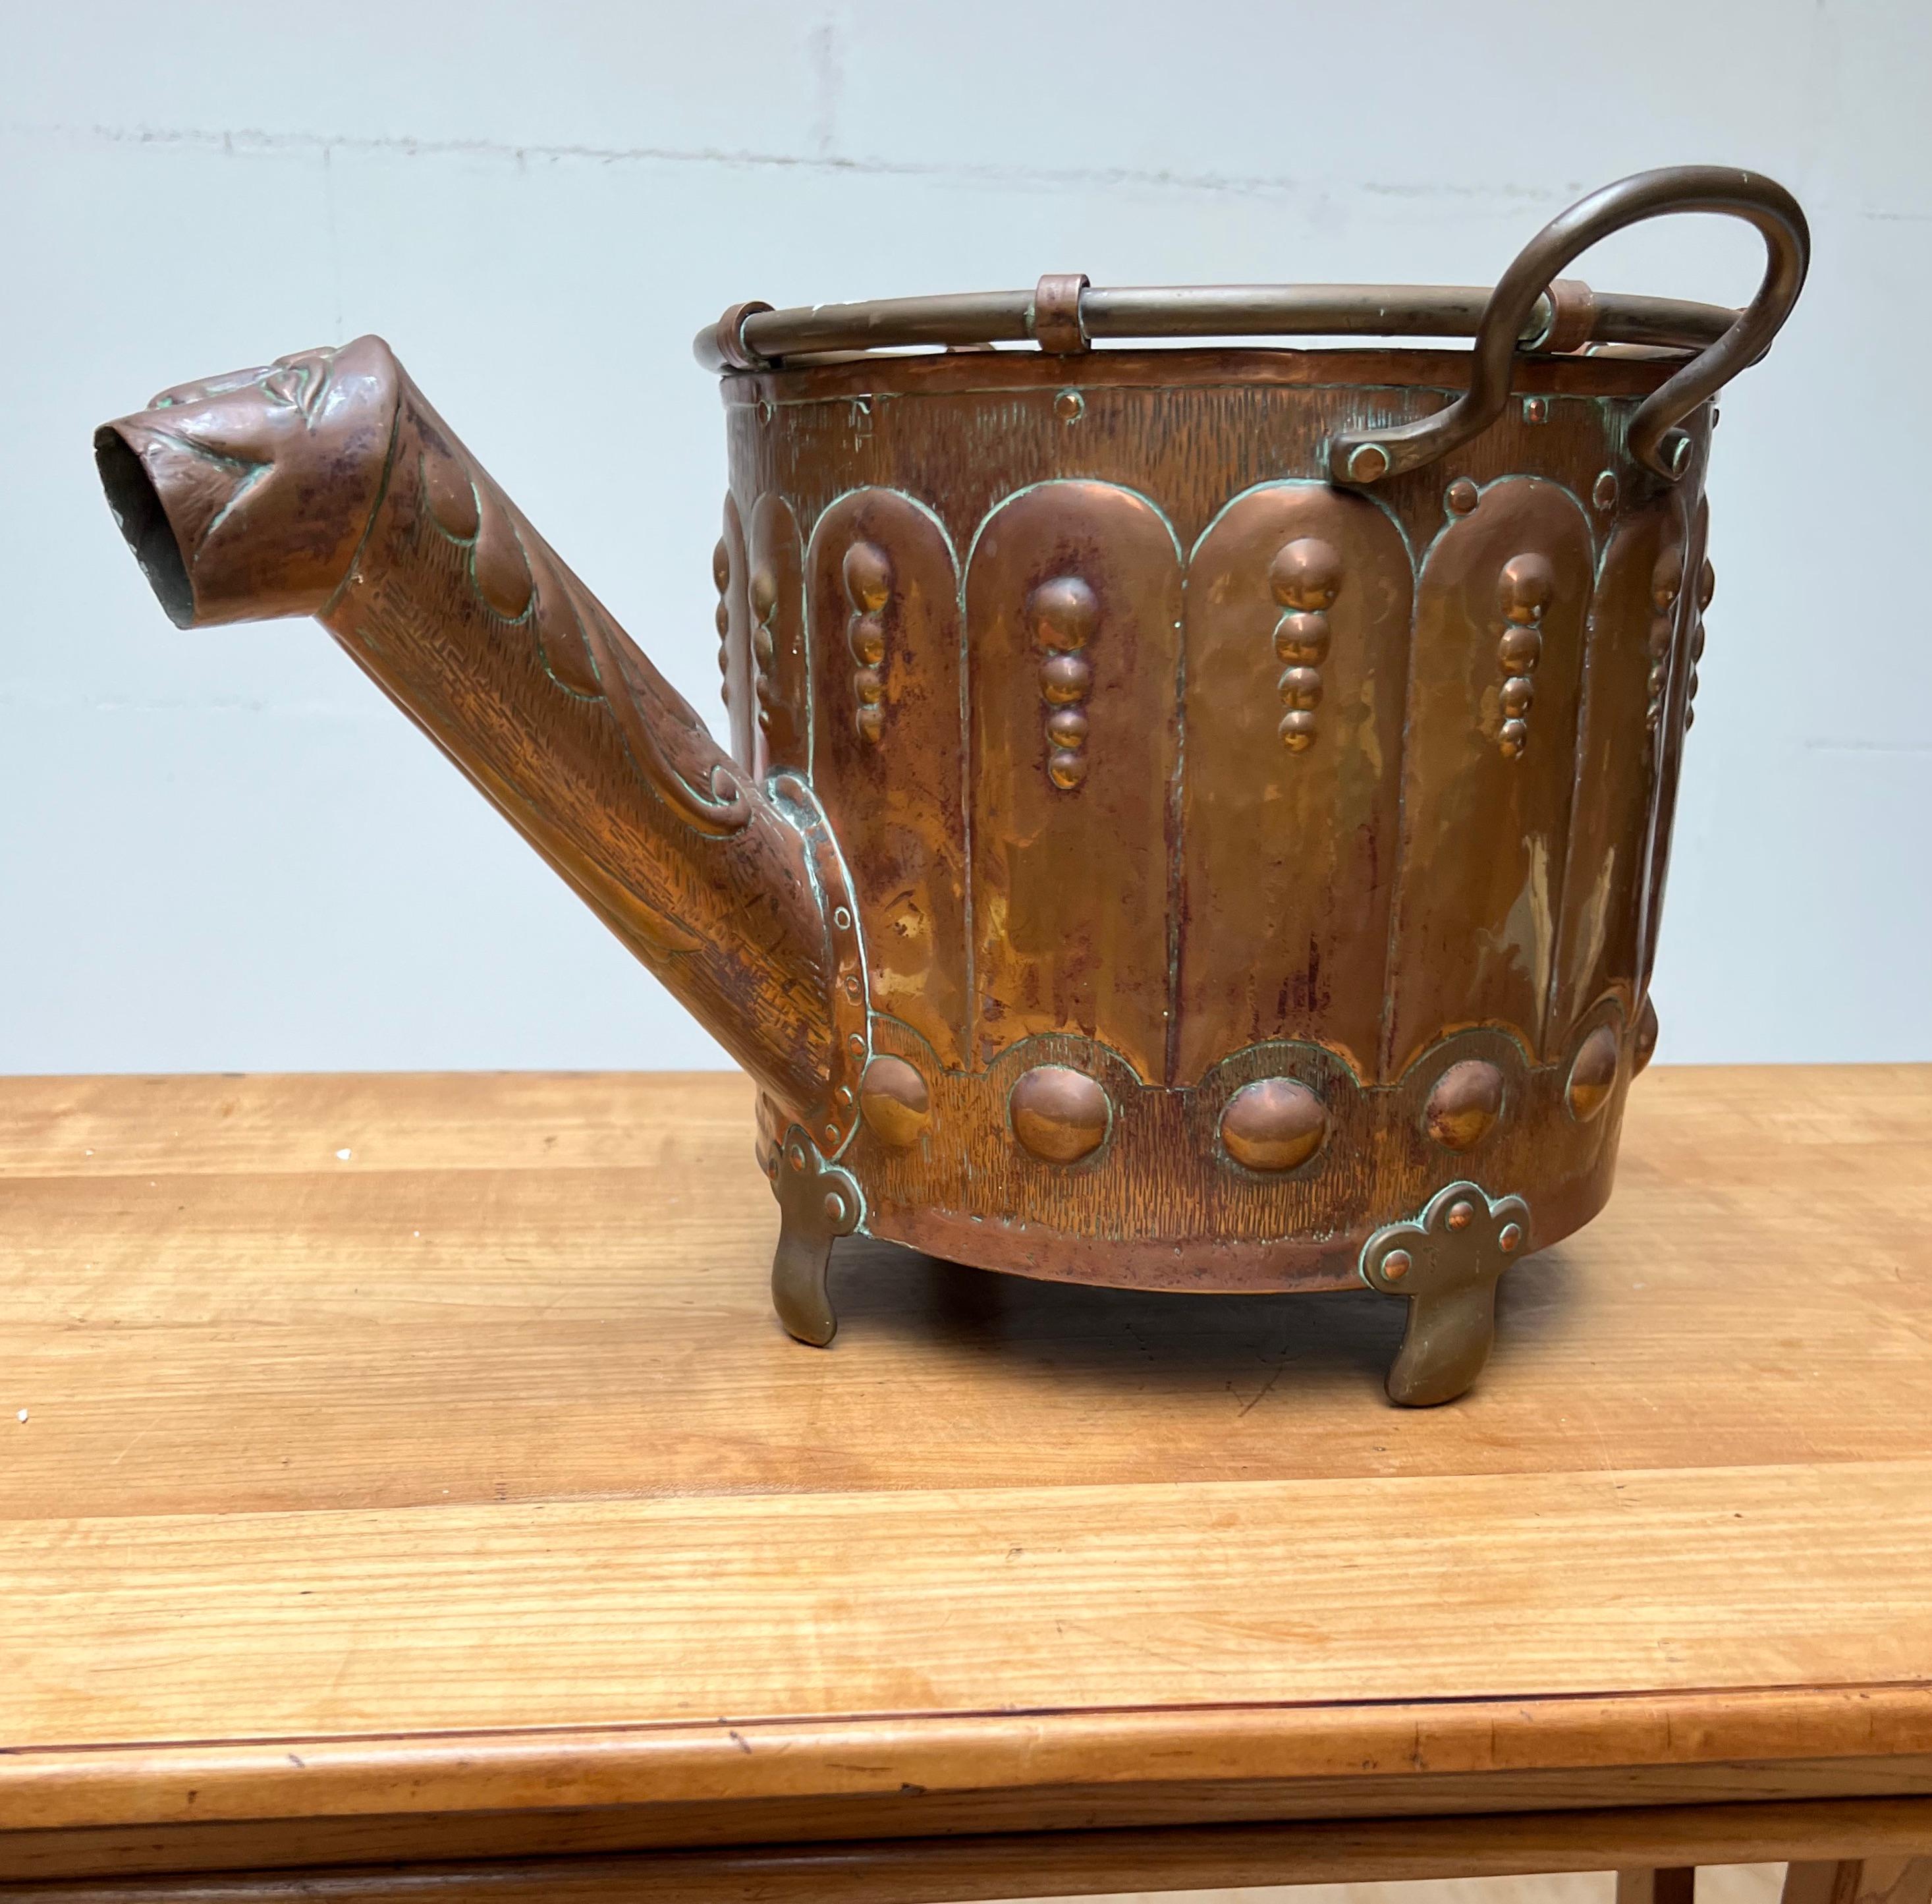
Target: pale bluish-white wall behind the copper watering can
(223, 851)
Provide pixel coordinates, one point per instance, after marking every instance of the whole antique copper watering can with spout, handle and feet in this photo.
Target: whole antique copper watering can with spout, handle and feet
(1197, 819)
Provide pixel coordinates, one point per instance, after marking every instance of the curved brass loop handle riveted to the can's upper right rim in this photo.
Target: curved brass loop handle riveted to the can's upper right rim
(1369, 457)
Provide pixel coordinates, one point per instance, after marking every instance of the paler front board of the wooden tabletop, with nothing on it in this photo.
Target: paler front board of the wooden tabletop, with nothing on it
(753, 1607)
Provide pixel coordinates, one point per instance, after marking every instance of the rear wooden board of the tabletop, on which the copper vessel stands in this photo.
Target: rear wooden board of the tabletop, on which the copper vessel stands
(494, 1296)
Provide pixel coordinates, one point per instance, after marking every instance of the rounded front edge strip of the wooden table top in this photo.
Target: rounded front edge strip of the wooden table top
(163, 1783)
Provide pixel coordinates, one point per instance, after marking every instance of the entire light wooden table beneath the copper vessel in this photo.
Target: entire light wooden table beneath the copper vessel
(416, 1493)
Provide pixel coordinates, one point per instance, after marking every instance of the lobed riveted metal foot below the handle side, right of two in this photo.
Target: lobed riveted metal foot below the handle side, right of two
(1448, 1263)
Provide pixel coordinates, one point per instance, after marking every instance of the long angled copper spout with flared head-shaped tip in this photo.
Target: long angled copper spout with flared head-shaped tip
(326, 486)
